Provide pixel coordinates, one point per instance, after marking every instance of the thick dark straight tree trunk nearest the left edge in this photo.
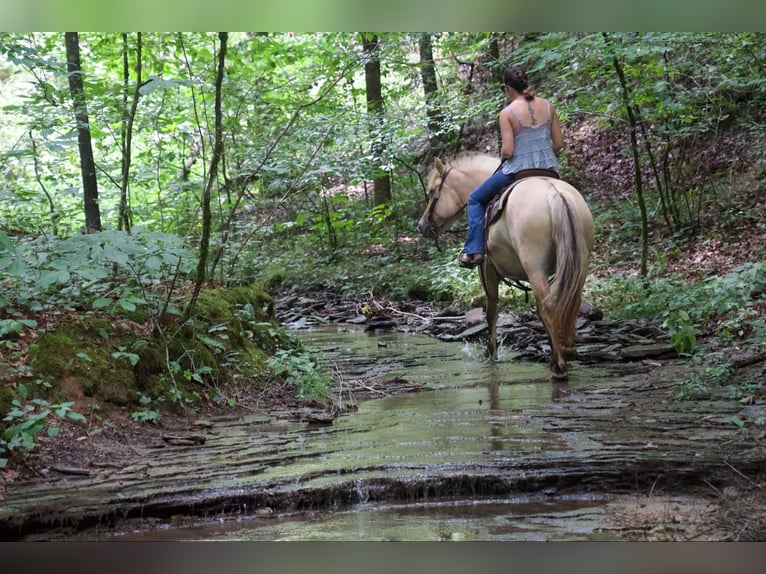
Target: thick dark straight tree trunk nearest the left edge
(87, 164)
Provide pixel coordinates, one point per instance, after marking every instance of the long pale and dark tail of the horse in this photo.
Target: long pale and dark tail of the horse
(572, 255)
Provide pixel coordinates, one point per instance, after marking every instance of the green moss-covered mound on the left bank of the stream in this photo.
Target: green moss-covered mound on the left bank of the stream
(231, 336)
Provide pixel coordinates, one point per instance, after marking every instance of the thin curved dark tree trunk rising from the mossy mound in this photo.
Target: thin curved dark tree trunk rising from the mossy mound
(207, 217)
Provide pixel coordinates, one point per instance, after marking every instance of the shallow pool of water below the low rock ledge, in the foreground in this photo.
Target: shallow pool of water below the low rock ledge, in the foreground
(496, 519)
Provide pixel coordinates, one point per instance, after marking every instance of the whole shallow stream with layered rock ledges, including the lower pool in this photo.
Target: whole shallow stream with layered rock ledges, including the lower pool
(461, 449)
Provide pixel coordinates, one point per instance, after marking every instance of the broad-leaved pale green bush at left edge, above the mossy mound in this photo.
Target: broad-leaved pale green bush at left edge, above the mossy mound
(111, 270)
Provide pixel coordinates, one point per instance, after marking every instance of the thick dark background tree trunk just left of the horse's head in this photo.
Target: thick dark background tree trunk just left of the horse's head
(382, 181)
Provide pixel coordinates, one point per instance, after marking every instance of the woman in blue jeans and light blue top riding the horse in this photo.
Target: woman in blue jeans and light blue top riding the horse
(531, 139)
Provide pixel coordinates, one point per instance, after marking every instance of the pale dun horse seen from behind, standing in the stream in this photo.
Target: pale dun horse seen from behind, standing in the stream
(544, 236)
